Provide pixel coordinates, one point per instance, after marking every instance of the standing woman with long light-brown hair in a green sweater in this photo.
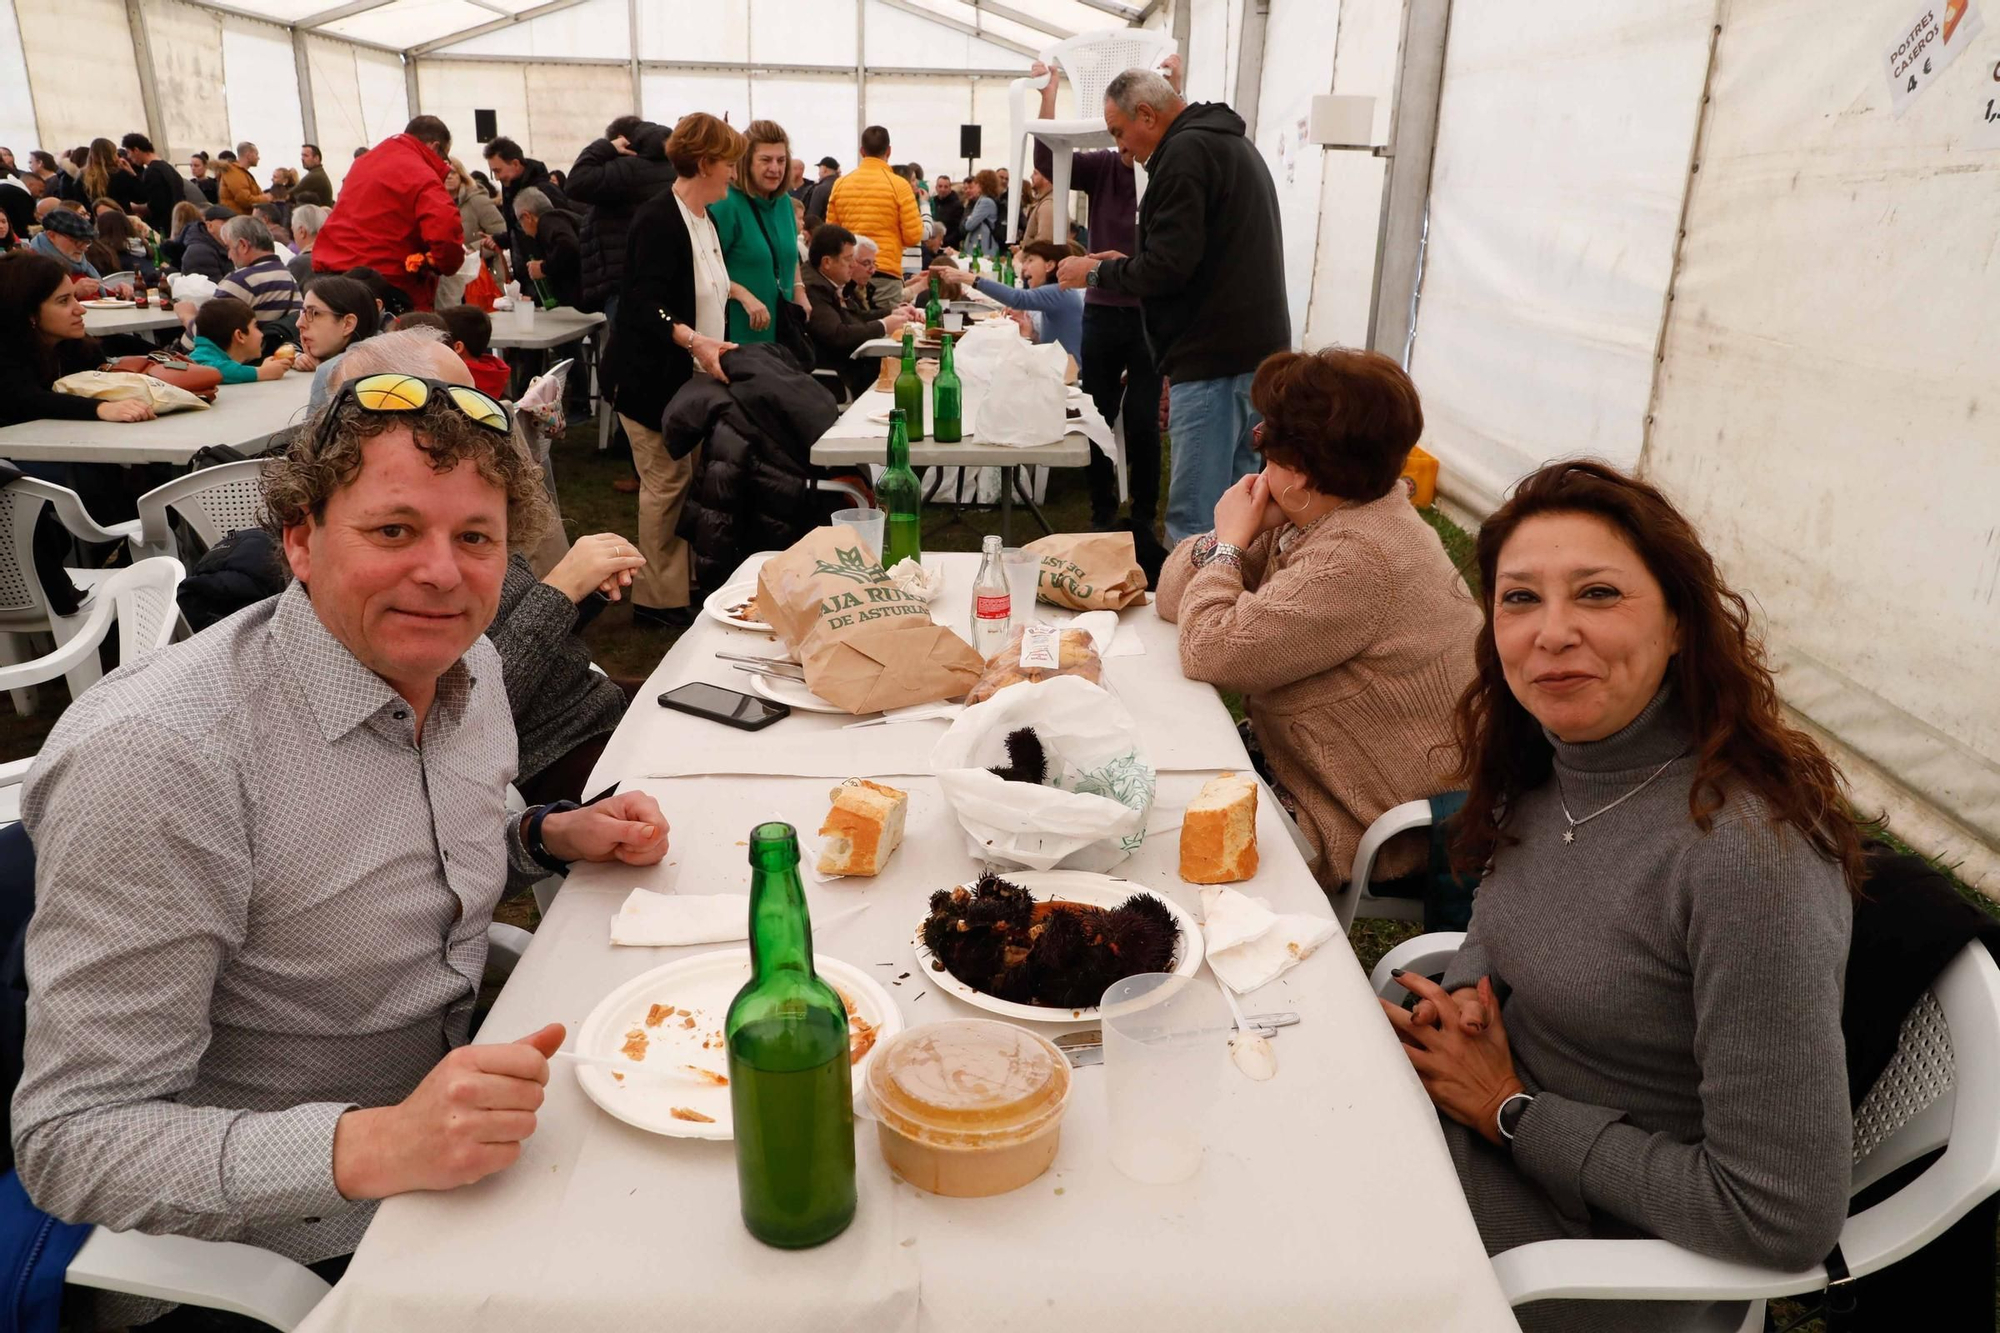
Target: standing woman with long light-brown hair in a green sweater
(759, 237)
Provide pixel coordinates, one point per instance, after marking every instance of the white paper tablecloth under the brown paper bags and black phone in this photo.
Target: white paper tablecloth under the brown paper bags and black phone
(661, 742)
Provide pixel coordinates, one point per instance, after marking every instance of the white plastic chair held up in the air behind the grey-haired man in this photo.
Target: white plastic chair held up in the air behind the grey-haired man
(1091, 61)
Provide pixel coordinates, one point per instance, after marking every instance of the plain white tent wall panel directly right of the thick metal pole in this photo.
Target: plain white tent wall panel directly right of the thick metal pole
(1555, 207)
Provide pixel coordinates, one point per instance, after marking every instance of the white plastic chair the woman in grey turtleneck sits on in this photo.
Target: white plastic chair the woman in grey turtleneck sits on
(1941, 1090)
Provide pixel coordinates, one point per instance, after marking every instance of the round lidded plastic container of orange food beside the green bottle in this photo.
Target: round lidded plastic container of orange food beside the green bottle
(969, 1108)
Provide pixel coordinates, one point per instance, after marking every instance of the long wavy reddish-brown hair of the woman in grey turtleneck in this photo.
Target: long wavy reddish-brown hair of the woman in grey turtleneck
(1719, 676)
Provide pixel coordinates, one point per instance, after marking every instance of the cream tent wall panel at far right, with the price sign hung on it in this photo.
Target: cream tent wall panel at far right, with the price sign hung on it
(1833, 369)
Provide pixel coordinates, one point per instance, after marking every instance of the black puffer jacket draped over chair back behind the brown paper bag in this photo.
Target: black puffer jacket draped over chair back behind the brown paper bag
(753, 489)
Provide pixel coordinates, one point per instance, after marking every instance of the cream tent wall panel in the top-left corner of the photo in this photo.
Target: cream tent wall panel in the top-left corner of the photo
(83, 71)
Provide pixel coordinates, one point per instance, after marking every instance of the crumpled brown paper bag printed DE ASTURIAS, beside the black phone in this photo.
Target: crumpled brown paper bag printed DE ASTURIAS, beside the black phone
(865, 643)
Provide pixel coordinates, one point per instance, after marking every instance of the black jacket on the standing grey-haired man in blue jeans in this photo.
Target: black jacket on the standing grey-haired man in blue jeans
(1209, 261)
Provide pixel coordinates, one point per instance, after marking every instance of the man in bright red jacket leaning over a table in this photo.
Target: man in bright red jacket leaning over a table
(395, 207)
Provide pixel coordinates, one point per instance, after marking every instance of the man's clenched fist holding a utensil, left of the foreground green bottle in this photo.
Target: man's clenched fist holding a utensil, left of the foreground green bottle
(465, 1122)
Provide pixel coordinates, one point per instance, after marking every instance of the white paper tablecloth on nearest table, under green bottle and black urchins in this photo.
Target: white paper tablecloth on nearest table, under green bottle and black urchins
(1331, 1202)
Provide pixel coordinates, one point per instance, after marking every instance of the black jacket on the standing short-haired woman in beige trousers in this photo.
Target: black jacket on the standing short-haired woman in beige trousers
(647, 367)
